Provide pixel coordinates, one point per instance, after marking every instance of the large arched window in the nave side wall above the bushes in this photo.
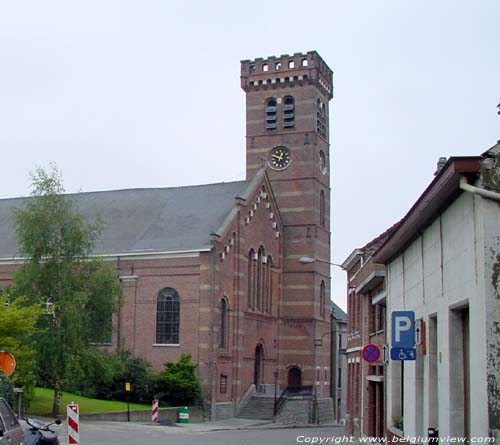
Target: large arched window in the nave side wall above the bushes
(167, 317)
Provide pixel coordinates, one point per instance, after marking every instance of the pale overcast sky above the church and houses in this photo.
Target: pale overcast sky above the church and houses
(134, 94)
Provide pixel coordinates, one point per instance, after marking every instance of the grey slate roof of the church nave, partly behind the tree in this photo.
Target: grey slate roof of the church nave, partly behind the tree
(143, 220)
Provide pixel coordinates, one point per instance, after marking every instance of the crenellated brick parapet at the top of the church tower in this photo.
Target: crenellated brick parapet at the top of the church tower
(285, 71)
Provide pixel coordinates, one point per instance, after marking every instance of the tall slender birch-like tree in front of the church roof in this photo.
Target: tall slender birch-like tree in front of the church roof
(80, 292)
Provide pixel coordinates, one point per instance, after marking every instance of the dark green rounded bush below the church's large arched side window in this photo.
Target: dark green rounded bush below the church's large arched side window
(180, 383)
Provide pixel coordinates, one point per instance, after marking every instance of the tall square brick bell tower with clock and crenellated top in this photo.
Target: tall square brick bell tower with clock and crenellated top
(287, 131)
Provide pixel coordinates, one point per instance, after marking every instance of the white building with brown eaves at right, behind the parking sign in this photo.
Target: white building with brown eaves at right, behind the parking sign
(443, 262)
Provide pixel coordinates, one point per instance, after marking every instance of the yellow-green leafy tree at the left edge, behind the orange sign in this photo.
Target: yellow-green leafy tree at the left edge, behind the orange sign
(17, 332)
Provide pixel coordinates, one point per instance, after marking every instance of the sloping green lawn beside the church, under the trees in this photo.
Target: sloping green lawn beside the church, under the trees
(41, 404)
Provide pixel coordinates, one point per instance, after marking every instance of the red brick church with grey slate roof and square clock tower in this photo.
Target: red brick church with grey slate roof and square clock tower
(213, 270)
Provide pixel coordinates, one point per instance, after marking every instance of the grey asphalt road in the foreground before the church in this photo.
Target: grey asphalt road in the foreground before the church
(114, 433)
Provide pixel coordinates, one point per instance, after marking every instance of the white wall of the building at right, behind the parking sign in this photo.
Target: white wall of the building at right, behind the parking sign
(442, 271)
